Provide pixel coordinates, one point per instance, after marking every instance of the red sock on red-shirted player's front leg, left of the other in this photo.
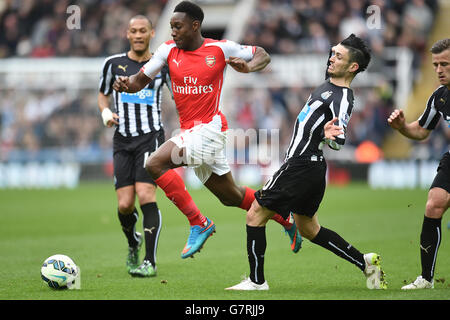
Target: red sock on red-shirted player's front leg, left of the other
(175, 189)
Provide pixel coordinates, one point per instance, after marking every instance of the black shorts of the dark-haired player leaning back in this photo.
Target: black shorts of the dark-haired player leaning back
(298, 187)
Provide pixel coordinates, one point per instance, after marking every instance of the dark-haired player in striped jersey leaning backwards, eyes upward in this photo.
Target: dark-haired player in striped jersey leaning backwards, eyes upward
(299, 185)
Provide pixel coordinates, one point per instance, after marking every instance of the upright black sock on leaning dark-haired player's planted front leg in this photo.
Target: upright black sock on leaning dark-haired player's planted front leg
(256, 247)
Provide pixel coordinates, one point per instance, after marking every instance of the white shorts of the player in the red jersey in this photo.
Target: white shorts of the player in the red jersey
(205, 148)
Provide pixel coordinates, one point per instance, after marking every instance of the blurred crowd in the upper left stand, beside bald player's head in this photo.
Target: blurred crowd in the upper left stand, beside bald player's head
(39, 28)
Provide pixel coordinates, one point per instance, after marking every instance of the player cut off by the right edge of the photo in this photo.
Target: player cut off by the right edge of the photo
(438, 197)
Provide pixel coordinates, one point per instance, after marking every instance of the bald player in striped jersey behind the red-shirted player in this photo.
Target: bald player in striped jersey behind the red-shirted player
(138, 133)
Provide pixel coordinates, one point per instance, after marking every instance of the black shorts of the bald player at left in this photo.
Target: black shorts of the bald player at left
(129, 156)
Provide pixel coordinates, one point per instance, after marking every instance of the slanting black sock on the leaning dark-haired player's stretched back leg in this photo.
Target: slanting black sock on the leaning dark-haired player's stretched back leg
(330, 240)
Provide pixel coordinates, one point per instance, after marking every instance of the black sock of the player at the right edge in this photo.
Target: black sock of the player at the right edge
(430, 239)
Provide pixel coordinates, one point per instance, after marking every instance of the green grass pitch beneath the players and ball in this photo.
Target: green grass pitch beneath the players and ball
(82, 223)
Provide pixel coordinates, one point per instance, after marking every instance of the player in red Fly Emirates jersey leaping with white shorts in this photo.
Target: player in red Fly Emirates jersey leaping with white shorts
(197, 69)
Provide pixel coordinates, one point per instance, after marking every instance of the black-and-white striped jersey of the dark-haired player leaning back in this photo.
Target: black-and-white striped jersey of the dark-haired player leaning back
(325, 102)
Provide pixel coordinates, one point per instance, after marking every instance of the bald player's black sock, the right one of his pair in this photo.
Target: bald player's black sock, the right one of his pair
(152, 228)
